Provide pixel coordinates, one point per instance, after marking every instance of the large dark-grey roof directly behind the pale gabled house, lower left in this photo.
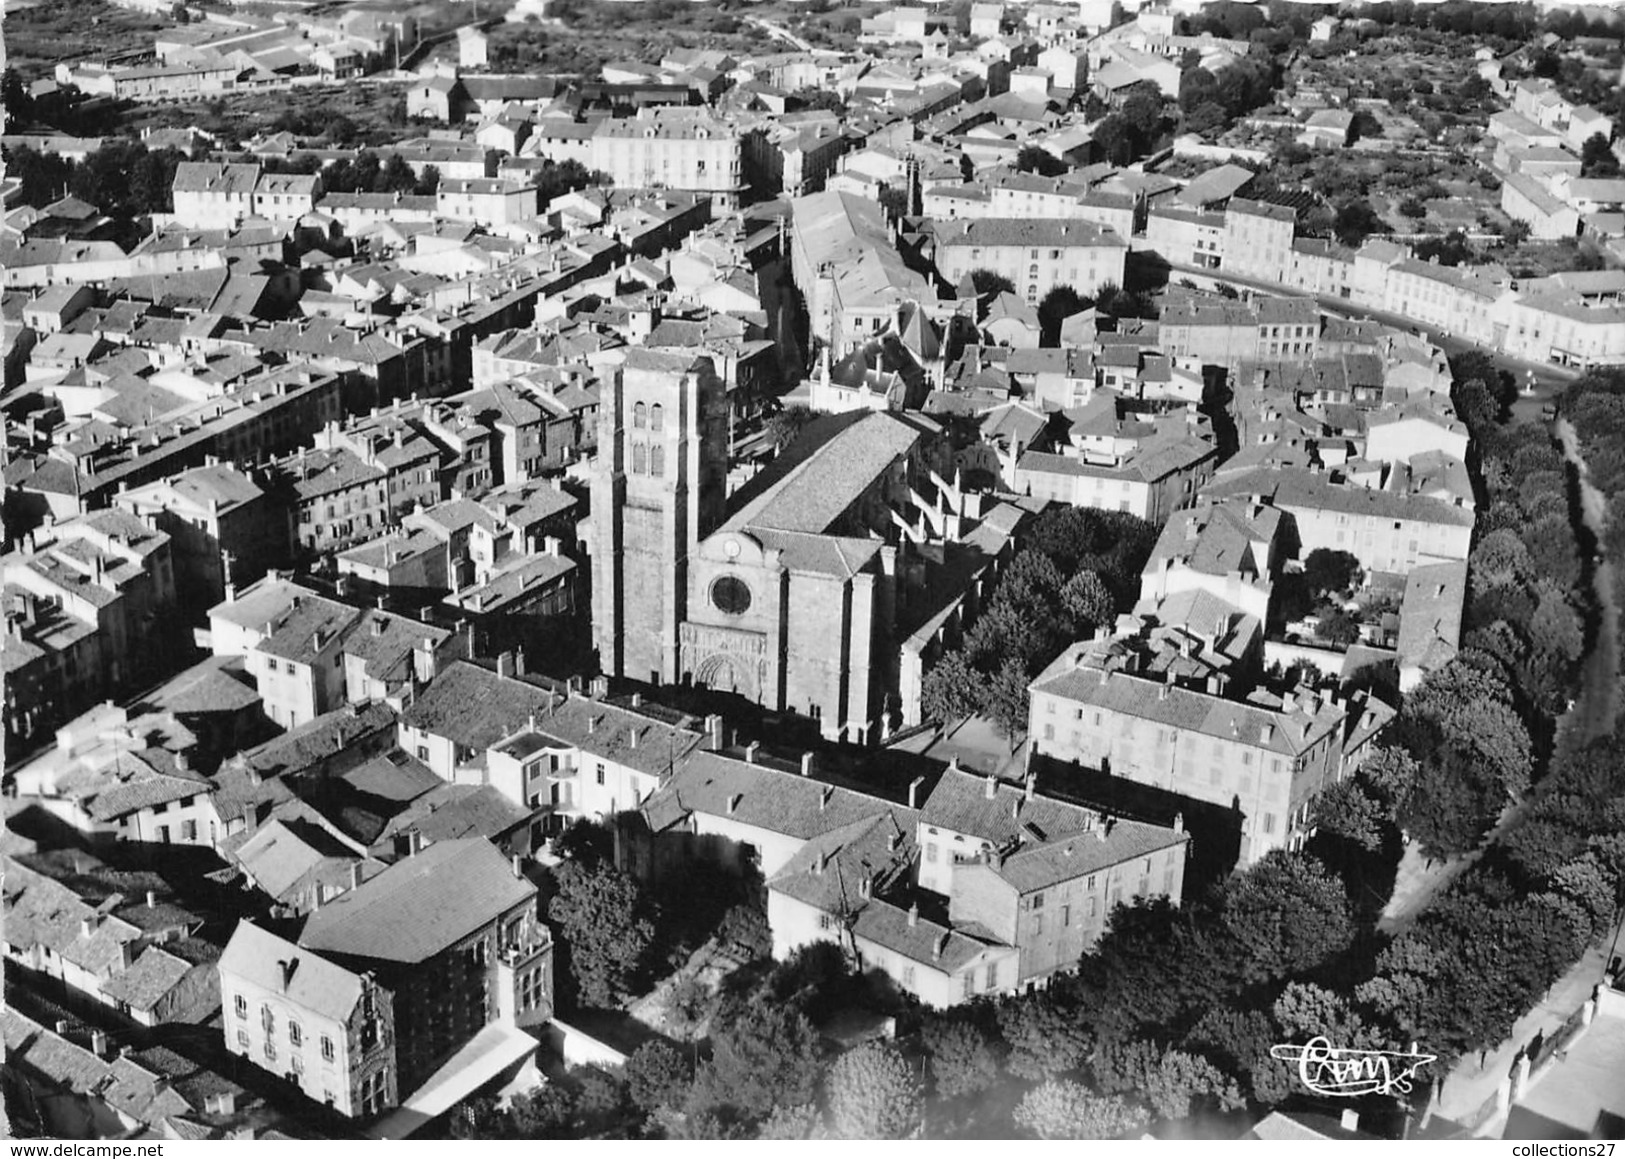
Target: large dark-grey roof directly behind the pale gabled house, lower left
(420, 906)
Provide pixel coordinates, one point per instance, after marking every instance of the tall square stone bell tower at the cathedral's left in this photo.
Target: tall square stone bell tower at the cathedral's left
(659, 488)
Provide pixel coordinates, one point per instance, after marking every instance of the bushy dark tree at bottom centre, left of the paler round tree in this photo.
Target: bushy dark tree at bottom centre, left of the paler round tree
(765, 1057)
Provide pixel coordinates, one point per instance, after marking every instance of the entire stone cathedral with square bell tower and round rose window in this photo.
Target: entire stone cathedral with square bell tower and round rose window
(797, 591)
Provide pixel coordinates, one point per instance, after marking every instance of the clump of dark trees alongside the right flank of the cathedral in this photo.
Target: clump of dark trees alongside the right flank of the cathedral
(1081, 566)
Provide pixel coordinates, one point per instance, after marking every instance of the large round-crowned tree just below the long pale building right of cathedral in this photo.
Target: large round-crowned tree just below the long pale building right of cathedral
(1286, 916)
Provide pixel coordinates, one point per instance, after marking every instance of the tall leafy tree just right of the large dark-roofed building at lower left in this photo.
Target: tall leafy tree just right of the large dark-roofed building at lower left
(602, 922)
